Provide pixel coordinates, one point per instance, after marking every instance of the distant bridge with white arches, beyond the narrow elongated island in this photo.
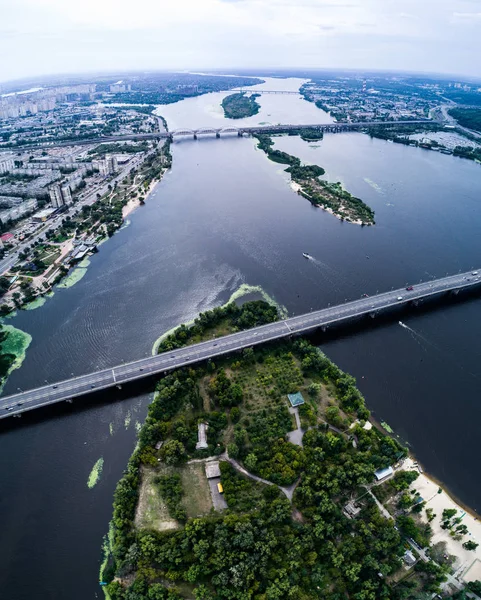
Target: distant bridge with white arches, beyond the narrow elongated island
(219, 131)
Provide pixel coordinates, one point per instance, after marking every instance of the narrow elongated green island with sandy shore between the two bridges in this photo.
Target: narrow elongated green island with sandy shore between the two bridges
(329, 196)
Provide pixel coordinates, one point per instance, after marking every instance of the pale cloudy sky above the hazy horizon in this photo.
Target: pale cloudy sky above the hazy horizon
(64, 36)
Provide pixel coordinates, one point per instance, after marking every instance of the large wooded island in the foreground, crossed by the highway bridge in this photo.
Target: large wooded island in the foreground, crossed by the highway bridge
(234, 492)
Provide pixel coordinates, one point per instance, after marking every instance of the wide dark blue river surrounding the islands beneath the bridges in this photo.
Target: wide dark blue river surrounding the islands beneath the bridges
(225, 216)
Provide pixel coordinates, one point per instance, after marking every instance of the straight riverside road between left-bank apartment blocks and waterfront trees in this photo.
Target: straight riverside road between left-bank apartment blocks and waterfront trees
(9, 261)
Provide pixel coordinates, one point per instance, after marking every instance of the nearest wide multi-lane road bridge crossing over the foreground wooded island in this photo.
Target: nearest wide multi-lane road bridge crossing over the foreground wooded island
(65, 390)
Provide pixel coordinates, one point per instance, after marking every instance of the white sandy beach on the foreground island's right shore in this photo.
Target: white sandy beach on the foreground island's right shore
(467, 560)
